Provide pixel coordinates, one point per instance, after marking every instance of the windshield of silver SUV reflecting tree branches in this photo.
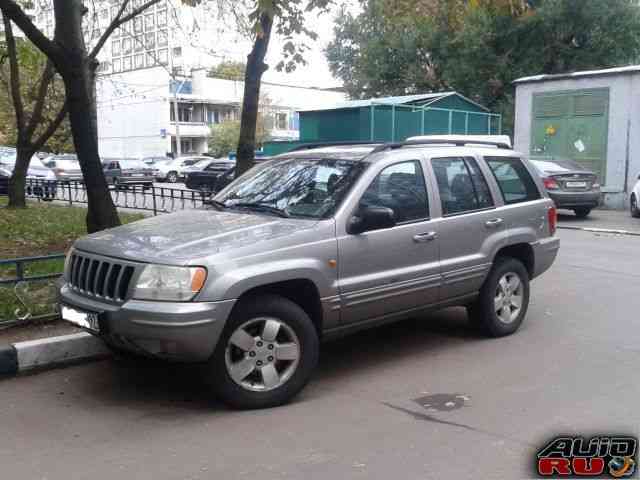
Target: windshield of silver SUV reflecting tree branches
(297, 187)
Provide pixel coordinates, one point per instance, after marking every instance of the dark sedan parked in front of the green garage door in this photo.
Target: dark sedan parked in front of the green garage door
(569, 184)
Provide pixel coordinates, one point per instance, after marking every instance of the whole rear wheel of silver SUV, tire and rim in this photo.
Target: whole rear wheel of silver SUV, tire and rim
(484, 312)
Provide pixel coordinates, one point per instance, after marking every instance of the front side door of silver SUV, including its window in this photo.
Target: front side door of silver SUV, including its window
(394, 270)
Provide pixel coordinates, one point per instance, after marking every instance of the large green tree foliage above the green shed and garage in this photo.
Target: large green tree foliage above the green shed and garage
(478, 47)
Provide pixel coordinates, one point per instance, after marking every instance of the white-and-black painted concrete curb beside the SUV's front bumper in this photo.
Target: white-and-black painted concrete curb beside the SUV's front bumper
(50, 352)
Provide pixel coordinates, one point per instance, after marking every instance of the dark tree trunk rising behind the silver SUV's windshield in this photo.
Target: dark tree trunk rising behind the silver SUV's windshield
(251, 101)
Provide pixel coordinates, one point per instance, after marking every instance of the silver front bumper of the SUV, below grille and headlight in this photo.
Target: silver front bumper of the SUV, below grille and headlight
(181, 331)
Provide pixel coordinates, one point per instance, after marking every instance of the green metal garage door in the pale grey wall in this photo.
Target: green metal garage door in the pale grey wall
(572, 125)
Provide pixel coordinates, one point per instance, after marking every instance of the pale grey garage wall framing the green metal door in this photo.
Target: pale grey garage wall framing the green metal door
(623, 139)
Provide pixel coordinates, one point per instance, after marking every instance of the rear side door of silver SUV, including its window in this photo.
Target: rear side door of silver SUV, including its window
(471, 224)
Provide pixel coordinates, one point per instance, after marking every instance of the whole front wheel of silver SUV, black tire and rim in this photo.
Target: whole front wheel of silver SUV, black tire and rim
(300, 356)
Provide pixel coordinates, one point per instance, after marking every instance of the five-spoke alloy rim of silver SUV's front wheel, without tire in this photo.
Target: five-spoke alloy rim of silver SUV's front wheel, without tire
(262, 354)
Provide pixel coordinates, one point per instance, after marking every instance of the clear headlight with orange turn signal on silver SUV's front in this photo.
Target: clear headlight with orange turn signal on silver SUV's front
(159, 282)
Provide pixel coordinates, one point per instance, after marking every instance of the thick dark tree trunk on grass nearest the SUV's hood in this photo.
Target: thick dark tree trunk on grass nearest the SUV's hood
(77, 73)
